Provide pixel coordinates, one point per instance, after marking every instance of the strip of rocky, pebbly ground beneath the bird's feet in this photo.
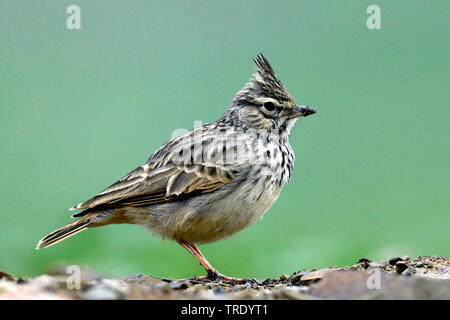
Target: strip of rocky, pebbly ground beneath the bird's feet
(427, 277)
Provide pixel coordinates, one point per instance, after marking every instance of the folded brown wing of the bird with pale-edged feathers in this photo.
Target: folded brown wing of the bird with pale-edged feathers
(167, 176)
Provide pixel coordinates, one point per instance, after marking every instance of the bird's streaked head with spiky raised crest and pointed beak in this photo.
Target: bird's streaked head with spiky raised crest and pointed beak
(264, 102)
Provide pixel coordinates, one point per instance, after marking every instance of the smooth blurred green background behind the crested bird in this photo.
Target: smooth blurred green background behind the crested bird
(81, 108)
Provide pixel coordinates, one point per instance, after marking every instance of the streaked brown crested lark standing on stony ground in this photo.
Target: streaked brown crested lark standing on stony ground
(209, 183)
